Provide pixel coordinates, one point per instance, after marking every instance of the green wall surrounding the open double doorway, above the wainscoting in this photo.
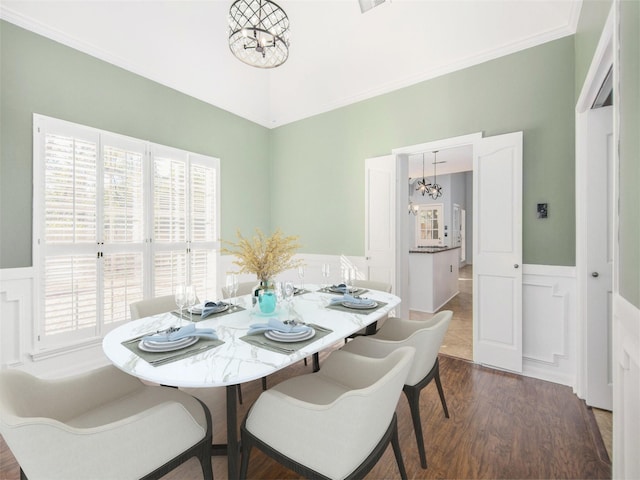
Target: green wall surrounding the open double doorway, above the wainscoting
(318, 163)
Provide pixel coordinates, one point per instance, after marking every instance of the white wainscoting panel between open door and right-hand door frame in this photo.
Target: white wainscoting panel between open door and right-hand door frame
(549, 323)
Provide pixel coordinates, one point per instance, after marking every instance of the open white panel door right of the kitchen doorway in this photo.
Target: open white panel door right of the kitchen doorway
(497, 251)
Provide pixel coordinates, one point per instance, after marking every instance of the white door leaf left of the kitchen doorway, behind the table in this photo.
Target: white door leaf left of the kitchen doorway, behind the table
(380, 219)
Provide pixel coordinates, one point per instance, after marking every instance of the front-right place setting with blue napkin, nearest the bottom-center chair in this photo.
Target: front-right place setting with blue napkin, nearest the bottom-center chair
(284, 336)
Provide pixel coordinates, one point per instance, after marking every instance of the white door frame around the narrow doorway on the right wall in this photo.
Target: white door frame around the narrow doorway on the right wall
(602, 60)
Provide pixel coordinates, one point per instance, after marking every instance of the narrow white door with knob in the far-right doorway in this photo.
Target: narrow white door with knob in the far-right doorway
(599, 244)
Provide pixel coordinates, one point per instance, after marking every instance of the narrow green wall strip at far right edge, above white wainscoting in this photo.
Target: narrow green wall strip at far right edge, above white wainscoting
(629, 278)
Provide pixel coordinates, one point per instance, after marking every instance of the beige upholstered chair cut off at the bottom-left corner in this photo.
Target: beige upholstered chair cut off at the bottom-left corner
(103, 424)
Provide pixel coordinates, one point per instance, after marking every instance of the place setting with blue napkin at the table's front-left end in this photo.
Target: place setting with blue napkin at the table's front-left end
(173, 343)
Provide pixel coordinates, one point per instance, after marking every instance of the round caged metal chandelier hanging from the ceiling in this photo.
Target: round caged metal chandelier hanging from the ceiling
(259, 33)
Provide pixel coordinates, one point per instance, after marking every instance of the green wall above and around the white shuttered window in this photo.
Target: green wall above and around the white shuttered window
(42, 76)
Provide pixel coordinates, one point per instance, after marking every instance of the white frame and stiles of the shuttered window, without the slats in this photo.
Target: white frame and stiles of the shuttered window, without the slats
(98, 249)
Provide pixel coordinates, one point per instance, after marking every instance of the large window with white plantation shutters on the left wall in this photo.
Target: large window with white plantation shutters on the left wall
(115, 220)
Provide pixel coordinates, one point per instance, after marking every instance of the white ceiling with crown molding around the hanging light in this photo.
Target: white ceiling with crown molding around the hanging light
(338, 55)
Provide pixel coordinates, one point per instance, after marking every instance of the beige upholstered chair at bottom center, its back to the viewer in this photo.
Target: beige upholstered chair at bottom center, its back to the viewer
(335, 423)
